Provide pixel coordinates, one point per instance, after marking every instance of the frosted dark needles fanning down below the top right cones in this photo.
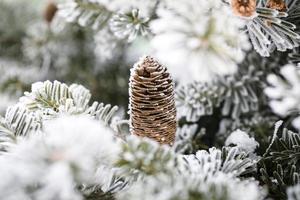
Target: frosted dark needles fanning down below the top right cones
(270, 29)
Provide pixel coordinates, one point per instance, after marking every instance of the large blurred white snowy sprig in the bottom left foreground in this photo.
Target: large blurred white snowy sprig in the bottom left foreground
(69, 149)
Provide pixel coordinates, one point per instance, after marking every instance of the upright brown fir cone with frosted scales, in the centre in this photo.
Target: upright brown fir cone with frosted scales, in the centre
(152, 104)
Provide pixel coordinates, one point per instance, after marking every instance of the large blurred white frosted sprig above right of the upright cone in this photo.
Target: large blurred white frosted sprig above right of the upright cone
(207, 43)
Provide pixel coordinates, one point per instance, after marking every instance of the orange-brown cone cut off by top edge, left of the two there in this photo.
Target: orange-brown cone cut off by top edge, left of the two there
(243, 8)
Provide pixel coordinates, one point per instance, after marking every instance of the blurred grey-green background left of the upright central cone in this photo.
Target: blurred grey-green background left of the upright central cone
(35, 45)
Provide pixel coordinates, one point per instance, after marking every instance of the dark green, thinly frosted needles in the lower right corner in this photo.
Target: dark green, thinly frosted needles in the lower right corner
(279, 168)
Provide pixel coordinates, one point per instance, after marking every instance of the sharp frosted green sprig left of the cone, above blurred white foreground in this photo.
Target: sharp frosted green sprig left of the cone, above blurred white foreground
(54, 98)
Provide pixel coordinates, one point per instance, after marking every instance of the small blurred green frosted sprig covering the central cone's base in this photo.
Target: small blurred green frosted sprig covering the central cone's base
(142, 156)
